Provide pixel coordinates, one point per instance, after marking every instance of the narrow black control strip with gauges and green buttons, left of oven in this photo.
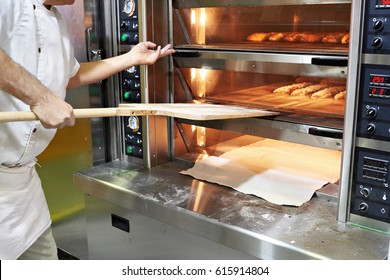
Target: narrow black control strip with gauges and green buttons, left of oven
(130, 79)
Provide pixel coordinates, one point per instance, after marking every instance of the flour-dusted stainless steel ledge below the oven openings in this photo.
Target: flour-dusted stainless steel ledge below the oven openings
(245, 223)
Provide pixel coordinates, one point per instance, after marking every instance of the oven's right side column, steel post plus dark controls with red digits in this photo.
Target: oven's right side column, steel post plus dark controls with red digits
(367, 153)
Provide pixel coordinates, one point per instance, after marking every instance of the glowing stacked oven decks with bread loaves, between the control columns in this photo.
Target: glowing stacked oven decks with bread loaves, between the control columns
(254, 55)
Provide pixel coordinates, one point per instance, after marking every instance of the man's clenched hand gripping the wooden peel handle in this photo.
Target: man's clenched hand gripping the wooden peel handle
(53, 112)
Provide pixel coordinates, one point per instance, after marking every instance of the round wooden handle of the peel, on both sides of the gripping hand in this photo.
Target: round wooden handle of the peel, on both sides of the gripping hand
(79, 114)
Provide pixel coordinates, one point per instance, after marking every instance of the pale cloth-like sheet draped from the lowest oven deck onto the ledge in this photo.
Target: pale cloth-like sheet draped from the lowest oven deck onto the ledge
(280, 172)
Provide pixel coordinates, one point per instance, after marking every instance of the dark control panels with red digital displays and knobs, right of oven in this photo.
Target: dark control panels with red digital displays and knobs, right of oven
(370, 191)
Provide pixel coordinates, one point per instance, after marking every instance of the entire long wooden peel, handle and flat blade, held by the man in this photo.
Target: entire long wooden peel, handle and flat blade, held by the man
(192, 111)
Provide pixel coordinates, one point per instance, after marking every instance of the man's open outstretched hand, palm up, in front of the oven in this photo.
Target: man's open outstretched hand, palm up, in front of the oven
(145, 53)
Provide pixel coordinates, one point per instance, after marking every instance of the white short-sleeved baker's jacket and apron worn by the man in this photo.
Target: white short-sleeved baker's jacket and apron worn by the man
(37, 39)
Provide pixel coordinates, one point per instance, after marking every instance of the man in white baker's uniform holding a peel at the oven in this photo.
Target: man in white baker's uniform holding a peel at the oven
(37, 65)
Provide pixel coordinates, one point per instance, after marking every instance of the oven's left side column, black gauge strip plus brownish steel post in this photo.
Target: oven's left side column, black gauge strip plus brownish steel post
(144, 140)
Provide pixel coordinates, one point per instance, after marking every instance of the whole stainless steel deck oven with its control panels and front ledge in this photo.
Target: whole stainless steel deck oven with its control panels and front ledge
(322, 65)
